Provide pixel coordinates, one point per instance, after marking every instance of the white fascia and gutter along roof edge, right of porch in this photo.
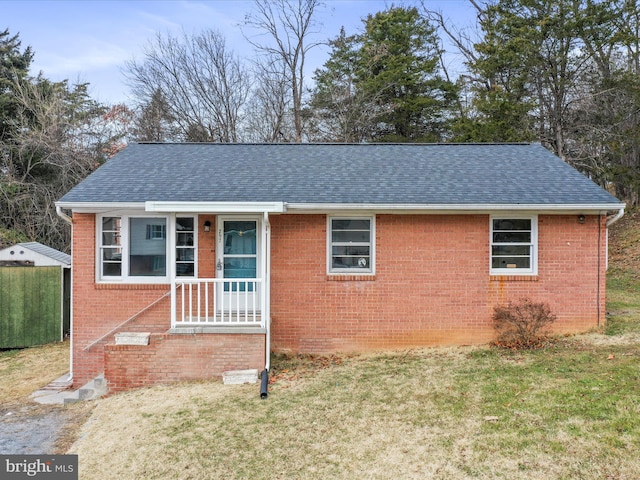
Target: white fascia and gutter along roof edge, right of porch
(453, 208)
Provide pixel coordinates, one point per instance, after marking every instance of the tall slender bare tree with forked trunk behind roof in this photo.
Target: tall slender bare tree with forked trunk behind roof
(288, 23)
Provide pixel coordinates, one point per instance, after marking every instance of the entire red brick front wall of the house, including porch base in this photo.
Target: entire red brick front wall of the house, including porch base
(432, 286)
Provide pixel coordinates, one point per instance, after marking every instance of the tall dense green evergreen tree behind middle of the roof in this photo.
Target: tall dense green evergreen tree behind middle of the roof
(398, 65)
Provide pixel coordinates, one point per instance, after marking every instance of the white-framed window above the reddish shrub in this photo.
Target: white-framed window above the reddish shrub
(514, 245)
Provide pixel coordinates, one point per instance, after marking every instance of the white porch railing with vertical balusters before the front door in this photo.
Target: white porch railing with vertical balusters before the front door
(217, 302)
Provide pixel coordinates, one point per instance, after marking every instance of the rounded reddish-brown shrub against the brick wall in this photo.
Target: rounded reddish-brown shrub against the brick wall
(522, 324)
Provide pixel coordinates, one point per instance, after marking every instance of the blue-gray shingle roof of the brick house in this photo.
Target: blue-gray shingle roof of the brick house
(426, 174)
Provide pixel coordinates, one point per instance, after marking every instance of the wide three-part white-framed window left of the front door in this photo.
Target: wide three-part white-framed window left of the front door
(135, 248)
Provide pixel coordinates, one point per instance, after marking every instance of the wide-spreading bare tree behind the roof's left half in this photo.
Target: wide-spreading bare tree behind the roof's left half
(203, 85)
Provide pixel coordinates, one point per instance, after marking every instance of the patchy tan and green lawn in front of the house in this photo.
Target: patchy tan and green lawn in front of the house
(571, 410)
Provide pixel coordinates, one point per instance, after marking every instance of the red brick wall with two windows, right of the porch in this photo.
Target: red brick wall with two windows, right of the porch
(432, 283)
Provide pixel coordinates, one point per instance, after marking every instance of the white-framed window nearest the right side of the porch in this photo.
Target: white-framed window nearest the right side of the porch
(351, 246)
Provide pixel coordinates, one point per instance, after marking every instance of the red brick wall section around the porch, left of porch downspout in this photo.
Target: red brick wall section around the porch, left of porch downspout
(98, 309)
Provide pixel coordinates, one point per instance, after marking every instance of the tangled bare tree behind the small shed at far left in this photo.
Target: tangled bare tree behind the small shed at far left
(63, 135)
